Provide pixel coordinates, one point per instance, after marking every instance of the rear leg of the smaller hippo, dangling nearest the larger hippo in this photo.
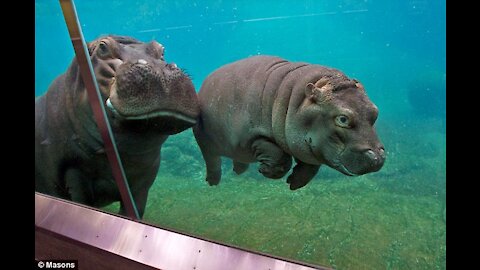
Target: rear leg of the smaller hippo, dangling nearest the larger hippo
(212, 160)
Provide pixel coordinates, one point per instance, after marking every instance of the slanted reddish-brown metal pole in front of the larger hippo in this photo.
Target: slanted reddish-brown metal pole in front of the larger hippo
(95, 98)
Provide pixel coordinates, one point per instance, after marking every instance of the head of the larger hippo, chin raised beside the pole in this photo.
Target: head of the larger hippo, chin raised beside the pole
(140, 88)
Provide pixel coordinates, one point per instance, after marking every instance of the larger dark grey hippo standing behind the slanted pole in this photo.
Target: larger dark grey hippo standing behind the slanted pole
(147, 100)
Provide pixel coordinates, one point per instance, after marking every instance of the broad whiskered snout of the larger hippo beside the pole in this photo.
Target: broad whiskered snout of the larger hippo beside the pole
(150, 89)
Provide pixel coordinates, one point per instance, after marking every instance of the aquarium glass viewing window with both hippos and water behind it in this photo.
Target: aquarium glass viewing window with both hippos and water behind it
(357, 92)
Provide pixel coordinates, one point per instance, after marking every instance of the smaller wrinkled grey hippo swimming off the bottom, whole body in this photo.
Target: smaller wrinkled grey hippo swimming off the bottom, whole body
(269, 110)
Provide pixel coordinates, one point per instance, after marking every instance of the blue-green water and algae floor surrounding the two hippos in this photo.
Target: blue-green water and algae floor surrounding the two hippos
(391, 219)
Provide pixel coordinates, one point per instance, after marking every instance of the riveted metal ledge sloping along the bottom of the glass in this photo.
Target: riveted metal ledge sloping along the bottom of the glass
(99, 240)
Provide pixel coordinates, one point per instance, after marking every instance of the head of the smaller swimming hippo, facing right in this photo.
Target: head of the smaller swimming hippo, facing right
(336, 127)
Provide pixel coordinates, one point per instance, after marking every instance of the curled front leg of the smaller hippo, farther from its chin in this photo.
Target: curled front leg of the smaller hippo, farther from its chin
(274, 162)
